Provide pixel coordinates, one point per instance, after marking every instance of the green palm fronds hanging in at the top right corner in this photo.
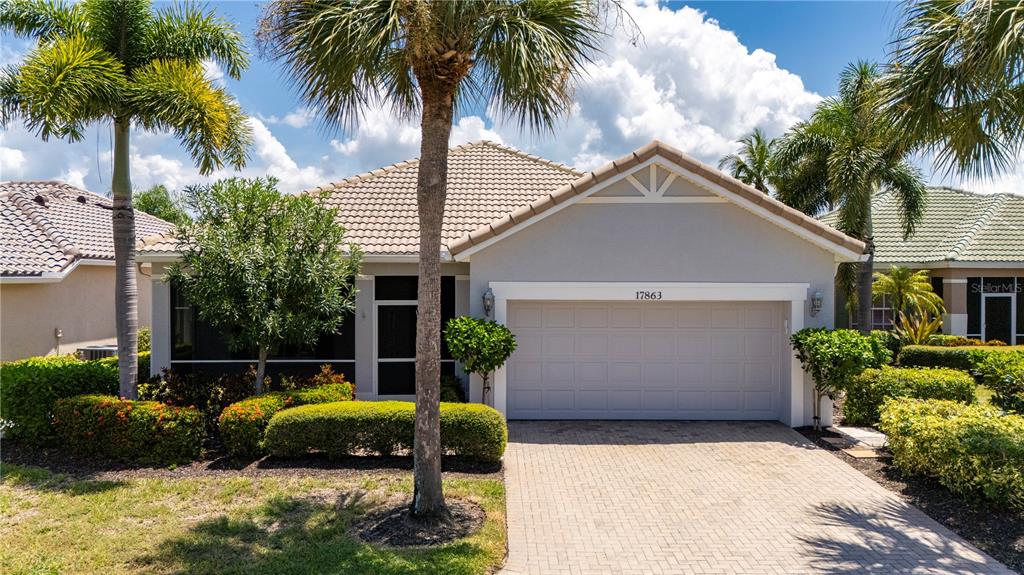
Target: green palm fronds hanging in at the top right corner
(956, 82)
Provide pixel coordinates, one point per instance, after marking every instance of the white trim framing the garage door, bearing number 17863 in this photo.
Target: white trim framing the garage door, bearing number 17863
(795, 294)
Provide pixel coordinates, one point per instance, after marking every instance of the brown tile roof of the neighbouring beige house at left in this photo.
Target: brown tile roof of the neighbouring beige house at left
(46, 227)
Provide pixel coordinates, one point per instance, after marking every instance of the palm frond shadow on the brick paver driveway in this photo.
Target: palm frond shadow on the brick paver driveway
(887, 541)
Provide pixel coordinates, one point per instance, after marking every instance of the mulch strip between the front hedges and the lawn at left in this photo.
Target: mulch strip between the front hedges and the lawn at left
(215, 464)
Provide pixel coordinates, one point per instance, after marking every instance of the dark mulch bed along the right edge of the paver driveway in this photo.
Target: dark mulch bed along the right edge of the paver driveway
(995, 530)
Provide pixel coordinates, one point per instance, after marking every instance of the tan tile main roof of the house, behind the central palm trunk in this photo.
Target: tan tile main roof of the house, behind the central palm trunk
(486, 181)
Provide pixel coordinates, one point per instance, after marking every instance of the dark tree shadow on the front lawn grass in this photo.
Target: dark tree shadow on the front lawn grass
(298, 535)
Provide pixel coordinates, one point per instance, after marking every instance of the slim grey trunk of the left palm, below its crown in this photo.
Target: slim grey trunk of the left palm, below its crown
(125, 288)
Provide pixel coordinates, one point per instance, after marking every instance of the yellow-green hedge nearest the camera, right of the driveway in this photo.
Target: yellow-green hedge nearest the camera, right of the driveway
(971, 450)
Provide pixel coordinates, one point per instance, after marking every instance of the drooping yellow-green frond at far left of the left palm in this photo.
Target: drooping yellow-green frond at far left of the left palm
(62, 86)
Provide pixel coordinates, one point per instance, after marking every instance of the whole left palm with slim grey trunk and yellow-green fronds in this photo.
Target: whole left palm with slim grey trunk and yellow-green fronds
(119, 62)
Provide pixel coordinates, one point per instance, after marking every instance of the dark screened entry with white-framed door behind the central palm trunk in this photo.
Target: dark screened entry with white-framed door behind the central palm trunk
(396, 303)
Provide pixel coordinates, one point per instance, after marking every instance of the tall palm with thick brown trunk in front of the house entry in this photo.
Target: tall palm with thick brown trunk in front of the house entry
(426, 58)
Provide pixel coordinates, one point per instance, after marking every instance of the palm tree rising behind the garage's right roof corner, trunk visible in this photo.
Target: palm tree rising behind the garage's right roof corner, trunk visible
(842, 157)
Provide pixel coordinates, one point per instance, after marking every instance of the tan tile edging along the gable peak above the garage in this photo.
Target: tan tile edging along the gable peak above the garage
(584, 184)
